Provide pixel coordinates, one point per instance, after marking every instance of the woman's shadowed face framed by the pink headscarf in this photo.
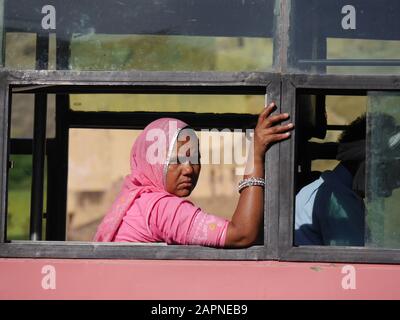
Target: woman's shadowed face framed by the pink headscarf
(184, 169)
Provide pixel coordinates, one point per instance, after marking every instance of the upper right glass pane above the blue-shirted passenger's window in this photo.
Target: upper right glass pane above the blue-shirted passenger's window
(341, 37)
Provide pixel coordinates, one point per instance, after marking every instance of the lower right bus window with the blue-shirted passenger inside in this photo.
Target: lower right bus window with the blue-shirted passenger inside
(347, 183)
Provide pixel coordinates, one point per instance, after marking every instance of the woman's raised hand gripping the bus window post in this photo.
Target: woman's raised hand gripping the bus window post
(268, 131)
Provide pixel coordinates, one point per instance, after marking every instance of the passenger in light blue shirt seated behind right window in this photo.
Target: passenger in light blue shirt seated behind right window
(330, 210)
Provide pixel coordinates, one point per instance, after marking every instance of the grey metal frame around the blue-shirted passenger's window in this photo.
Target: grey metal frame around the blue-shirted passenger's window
(327, 84)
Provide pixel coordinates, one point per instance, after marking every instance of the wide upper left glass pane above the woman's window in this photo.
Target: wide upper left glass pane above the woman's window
(171, 35)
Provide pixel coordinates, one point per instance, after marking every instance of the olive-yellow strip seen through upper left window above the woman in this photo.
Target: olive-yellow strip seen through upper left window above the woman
(171, 53)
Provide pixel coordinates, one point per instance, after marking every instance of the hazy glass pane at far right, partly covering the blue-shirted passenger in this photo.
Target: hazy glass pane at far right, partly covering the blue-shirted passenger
(383, 167)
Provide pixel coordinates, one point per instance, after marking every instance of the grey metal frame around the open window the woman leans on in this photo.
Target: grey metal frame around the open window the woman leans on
(62, 82)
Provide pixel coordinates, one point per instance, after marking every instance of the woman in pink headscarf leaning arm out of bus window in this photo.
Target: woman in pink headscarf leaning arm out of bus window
(165, 167)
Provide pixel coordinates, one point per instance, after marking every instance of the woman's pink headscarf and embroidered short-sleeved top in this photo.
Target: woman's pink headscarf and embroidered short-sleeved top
(145, 212)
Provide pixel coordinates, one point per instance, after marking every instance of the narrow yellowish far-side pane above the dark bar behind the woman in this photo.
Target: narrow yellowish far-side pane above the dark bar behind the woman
(251, 104)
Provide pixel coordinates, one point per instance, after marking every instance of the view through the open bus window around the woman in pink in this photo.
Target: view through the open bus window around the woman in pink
(99, 150)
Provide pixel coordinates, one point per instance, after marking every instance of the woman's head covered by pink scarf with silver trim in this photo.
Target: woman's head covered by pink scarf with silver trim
(165, 157)
